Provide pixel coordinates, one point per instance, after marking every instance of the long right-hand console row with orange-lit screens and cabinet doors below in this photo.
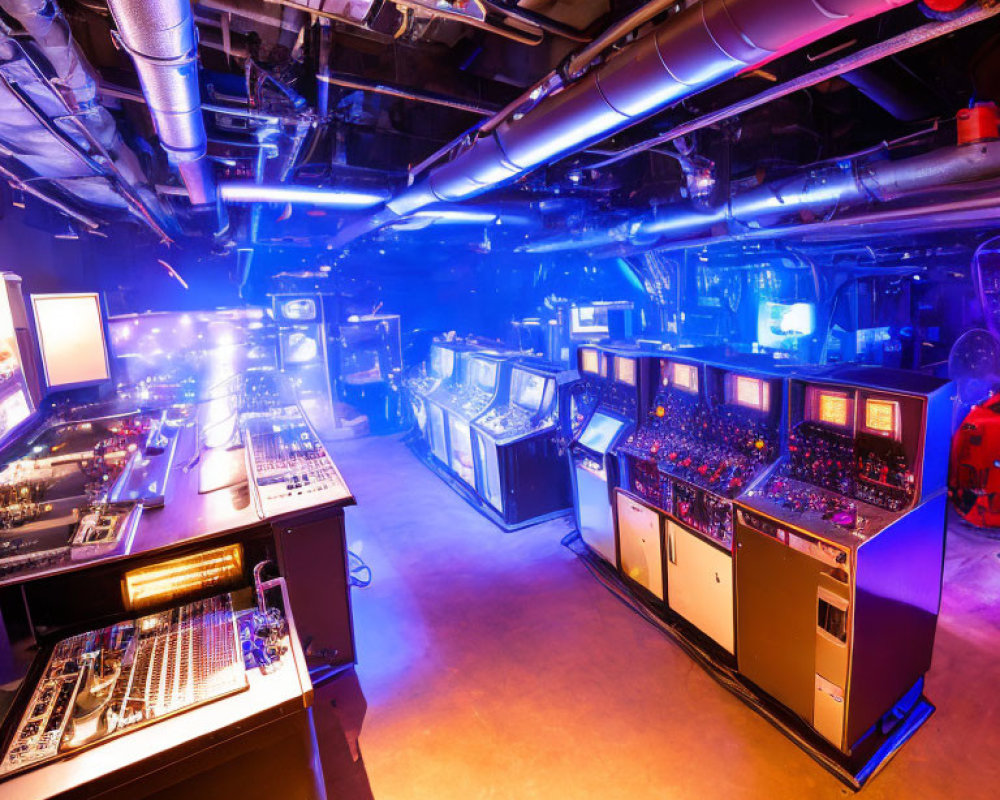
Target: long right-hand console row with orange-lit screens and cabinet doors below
(788, 521)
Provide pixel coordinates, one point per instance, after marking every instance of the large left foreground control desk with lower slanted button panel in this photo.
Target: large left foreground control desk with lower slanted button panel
(171, 582)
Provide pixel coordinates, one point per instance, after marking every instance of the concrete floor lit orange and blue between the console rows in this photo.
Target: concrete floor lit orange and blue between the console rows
(495, 666)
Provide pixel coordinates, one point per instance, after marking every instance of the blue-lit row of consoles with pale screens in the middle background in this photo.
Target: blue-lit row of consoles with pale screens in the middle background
(488, 420)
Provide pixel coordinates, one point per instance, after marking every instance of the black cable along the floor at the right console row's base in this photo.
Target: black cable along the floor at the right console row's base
(722, 675)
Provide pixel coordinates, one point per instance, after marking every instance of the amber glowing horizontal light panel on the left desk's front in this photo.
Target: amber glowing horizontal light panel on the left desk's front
(219, 568)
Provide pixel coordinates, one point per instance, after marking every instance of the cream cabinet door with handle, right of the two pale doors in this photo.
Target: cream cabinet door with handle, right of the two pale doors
(700, 584)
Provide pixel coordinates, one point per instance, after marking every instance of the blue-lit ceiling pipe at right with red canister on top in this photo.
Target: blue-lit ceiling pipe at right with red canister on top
(814, 193)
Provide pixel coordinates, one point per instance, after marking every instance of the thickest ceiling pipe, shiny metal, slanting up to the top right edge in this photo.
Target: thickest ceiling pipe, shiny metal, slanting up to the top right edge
(697, 48)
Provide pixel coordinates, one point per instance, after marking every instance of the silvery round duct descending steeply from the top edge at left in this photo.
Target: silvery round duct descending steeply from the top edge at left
(160, 37)
